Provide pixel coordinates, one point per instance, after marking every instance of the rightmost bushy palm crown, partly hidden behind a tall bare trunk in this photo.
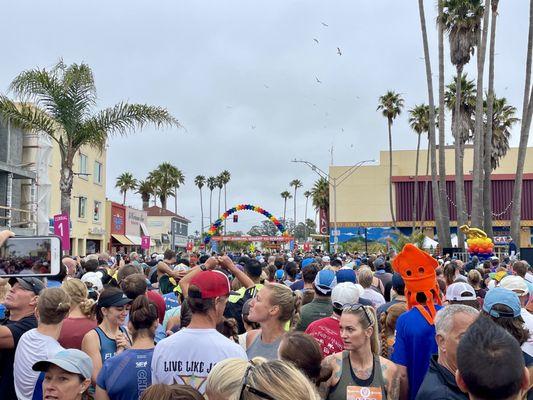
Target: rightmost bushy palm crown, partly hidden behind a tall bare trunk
(502, 121)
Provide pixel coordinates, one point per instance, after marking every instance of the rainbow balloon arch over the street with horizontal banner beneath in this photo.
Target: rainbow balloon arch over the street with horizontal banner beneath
(211, 233)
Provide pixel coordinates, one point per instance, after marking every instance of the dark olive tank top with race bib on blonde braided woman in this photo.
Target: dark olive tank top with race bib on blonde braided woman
(350, 387)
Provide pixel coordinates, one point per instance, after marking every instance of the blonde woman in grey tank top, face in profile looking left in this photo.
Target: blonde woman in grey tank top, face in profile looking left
(274, 305)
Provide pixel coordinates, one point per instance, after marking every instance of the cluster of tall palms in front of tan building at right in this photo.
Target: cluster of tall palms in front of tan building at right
(482, 119)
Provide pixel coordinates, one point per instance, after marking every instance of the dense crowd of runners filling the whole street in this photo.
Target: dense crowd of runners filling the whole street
(269, 325)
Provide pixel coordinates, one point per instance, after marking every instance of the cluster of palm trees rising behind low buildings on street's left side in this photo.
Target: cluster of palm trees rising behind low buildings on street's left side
(161, 183)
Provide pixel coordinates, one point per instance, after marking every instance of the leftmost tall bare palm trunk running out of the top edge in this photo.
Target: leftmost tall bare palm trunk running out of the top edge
(437, 209)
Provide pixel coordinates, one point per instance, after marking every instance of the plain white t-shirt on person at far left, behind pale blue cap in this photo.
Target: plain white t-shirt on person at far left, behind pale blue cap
(32, 347)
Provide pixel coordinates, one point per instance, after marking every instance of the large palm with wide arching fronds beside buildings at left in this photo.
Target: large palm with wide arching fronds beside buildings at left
(61, 102)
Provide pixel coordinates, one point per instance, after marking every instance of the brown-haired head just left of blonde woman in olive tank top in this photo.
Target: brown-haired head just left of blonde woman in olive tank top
(304, 353)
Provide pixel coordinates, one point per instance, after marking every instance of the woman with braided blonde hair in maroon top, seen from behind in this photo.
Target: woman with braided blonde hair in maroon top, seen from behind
(82, 316)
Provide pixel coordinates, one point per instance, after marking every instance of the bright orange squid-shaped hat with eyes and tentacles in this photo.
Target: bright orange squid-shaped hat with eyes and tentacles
(417, 269)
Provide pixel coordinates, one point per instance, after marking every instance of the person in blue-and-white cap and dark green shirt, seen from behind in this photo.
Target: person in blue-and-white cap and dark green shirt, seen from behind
(321, 306)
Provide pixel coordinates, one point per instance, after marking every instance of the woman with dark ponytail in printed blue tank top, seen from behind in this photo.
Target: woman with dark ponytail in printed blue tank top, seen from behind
(128, 374)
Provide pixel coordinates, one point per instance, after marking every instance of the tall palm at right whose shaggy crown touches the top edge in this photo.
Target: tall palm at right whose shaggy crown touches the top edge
(461, 19)
